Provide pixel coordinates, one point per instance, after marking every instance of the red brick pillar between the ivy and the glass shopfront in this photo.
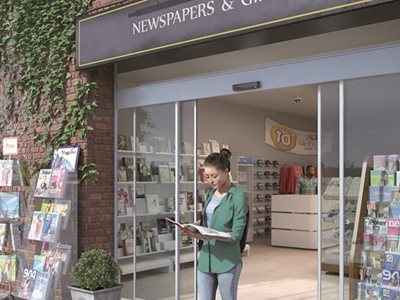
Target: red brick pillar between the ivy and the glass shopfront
(96, 201)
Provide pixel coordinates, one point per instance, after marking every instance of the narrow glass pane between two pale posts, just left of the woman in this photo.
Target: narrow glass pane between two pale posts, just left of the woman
(186, 197)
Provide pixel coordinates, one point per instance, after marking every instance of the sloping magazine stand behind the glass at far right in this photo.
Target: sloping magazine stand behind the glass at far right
(374, 262)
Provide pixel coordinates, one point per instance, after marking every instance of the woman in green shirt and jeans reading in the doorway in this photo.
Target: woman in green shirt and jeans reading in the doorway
(220, 262)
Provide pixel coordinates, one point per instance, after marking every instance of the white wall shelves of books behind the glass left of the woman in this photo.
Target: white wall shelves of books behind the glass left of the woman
(163, 258)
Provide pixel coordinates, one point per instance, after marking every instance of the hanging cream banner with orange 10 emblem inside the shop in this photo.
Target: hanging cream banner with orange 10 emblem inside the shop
(287, 139)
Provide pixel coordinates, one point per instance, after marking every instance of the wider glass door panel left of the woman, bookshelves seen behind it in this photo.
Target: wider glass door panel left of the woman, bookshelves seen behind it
(154, 147)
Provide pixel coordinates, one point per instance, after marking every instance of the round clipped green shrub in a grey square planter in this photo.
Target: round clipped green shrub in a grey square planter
(95, 277)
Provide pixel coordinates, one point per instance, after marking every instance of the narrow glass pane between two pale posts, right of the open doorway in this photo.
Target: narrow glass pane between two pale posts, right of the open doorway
(329, 171)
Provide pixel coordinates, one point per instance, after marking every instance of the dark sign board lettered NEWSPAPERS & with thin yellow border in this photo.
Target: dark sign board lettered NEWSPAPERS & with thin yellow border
(148, 26)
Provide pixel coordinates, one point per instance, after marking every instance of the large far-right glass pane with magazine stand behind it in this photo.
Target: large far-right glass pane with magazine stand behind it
(371, 109)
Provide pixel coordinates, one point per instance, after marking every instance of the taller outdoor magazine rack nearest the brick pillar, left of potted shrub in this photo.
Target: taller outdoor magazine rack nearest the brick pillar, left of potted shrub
(60, 234)
